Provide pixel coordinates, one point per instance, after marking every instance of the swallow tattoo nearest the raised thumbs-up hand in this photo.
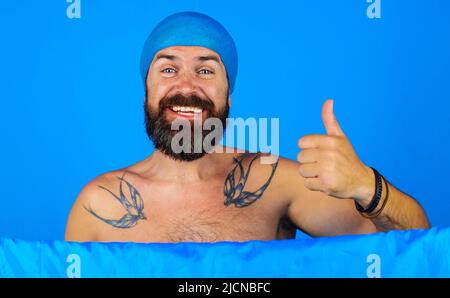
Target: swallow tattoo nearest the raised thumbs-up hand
(235, 193)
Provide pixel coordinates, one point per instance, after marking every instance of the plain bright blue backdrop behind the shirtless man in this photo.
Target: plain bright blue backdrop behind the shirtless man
(71, 94)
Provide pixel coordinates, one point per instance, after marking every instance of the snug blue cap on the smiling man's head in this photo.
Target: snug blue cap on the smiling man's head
(191, 29)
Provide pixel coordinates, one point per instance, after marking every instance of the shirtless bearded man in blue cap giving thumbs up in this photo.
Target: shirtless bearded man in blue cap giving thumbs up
(189, 66)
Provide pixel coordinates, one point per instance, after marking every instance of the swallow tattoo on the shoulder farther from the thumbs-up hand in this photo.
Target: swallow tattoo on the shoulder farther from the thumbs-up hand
(134, 207)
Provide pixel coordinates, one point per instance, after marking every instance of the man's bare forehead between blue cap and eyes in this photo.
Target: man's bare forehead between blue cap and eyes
(194, 53)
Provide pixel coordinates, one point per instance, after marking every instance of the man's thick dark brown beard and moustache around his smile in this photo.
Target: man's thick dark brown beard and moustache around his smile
(160, 132)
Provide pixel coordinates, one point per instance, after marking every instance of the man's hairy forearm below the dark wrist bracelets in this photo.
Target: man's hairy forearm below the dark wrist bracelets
(401, 212)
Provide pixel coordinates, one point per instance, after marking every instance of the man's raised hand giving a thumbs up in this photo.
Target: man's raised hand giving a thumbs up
(329, 163)
